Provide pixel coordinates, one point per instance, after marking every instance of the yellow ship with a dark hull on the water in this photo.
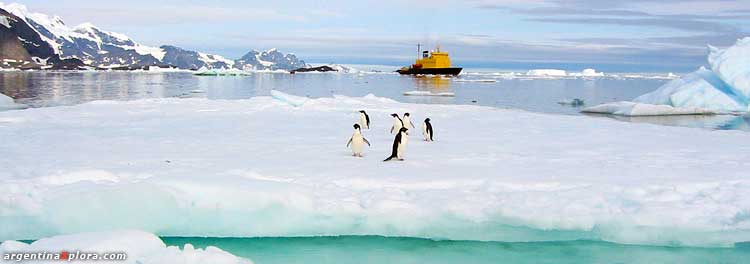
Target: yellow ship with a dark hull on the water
(435, 62)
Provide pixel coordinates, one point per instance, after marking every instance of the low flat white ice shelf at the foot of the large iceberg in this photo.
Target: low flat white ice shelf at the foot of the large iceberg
(625, 108)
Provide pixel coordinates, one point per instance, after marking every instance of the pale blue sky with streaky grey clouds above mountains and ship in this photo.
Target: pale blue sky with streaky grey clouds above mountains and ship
(633, 35)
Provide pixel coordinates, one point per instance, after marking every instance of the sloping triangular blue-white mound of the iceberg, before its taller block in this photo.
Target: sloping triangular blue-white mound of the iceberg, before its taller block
(694, 90)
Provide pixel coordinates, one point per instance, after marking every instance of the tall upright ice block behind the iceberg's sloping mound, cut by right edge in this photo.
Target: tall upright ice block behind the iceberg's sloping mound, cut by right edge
(732, 65)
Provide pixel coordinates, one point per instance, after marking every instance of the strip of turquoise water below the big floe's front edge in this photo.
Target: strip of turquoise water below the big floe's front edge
(378, 249)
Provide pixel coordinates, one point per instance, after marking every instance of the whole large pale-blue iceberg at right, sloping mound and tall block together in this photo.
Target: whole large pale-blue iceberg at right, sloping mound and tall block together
(723, 88)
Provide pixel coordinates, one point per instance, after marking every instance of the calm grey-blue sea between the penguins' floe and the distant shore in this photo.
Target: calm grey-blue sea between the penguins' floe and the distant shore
(496, 89)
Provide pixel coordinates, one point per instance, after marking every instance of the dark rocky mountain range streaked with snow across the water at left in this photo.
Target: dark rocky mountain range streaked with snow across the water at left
(37, 41)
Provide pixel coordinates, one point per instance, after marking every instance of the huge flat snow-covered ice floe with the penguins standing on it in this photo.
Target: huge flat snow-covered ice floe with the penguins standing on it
(262, 167)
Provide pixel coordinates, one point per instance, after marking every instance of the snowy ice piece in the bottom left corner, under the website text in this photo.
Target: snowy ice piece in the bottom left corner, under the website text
(135, 246)
